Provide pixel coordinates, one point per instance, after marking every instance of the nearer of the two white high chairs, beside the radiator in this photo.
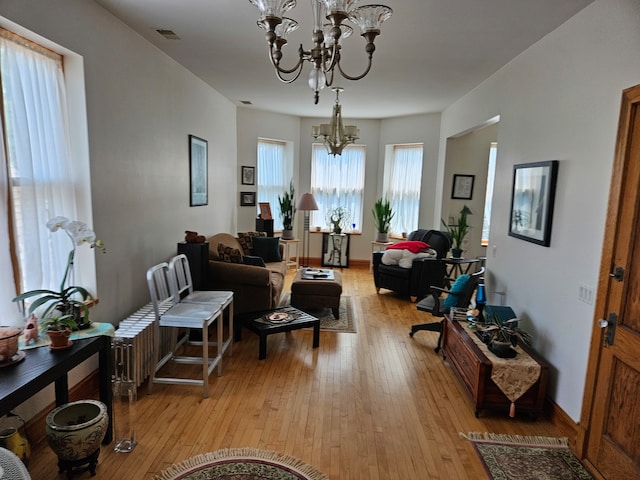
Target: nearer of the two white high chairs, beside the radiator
(169, 312)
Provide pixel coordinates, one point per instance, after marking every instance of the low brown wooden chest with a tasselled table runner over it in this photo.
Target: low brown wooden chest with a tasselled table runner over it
(473, 368)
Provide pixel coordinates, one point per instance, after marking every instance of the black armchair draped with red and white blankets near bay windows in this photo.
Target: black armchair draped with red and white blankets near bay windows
(424, 272)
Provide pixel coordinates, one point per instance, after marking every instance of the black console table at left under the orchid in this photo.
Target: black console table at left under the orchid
(41, 367)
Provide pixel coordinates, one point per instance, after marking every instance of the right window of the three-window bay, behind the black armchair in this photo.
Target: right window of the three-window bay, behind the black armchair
(402, 181)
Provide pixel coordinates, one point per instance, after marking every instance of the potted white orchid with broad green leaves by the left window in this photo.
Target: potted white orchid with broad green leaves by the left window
(71, 301)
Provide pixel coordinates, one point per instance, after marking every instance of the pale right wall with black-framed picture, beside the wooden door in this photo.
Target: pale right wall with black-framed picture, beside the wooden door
(559, 100)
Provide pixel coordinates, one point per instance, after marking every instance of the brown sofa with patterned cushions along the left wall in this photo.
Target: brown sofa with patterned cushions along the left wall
(254, 288)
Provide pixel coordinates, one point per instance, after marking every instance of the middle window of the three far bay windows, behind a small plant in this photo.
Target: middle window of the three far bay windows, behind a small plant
(338, 181)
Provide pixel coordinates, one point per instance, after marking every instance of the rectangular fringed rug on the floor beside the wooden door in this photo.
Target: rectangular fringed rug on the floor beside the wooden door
(511, 457)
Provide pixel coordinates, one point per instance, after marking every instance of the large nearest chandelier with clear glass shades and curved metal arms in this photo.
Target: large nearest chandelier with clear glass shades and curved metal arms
(325, 56)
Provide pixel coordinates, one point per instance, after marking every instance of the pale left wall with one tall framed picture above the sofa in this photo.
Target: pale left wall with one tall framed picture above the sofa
(141, 106)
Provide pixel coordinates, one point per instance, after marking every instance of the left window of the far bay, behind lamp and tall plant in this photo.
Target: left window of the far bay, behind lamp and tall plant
(274, 175)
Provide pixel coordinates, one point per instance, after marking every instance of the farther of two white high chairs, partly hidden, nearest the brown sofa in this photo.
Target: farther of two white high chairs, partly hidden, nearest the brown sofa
(179, 268)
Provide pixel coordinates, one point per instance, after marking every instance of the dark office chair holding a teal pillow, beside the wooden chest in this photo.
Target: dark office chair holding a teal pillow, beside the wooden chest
(437, 305)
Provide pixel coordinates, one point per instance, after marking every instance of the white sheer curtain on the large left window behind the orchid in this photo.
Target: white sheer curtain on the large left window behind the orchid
(39, 163)
